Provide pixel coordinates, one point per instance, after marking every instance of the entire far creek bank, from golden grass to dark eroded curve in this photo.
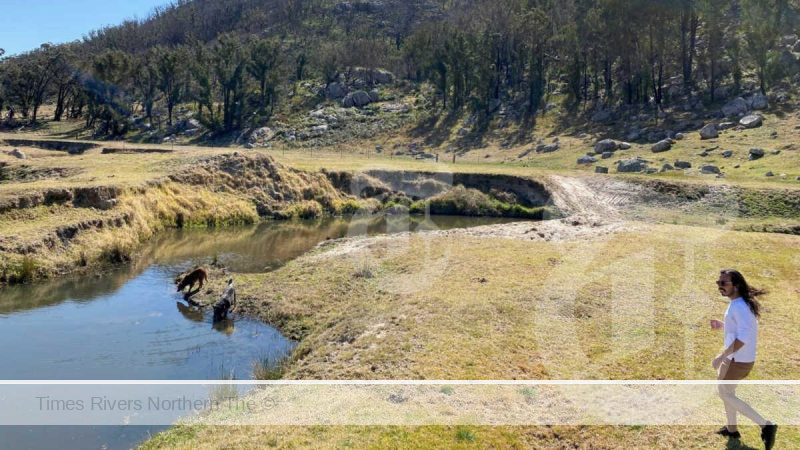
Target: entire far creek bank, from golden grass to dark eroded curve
(105, 224)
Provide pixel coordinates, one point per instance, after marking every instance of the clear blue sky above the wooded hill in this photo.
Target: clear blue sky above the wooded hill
(26, 24)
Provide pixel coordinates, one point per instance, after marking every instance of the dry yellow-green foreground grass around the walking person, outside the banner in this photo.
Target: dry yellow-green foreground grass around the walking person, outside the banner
(367, 310)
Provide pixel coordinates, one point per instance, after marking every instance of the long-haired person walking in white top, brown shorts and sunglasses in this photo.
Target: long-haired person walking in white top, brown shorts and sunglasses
(736, 360)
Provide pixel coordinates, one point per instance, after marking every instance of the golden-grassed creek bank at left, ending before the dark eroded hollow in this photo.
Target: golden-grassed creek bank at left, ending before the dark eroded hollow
(106, 224)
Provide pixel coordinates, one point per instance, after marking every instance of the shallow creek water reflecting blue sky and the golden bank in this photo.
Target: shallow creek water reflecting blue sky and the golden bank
(131, 324)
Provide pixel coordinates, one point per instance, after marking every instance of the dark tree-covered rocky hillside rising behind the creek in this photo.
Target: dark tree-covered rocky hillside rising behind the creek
(459, 75)
